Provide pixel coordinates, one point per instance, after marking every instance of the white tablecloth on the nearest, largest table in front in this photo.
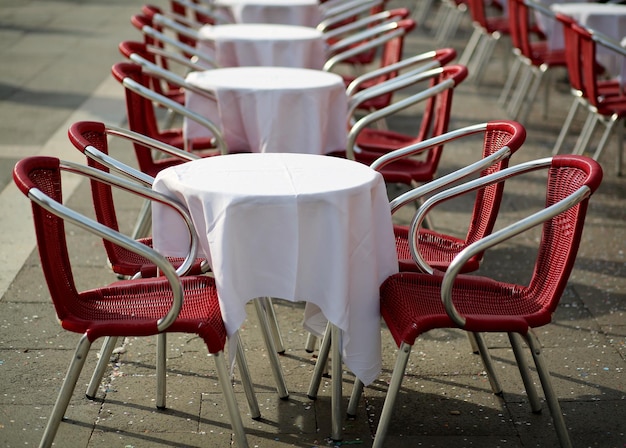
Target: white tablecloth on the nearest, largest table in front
(294, 226)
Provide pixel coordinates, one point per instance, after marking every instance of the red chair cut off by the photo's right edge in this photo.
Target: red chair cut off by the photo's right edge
(604, 99)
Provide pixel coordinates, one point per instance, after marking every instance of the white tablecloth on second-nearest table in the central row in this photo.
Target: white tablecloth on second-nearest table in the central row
(272, 109)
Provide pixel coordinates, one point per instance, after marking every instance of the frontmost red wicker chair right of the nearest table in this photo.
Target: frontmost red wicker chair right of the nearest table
(414, 303)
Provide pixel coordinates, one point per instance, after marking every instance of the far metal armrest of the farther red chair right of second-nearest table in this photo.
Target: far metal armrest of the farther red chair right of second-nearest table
(429, 60)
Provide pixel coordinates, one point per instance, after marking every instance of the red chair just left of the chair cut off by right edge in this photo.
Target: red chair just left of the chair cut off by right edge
(534, 59)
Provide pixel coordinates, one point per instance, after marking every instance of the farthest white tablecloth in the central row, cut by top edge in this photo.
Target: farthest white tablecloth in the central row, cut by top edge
(286, 12)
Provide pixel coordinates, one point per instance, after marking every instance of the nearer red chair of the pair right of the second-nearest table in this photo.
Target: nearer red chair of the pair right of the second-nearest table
(366, 144)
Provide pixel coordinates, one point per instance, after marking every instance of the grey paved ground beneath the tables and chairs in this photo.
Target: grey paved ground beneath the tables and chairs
(56, 57)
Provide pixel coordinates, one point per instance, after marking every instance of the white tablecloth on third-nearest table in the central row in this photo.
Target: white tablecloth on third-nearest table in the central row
(263, 45)
